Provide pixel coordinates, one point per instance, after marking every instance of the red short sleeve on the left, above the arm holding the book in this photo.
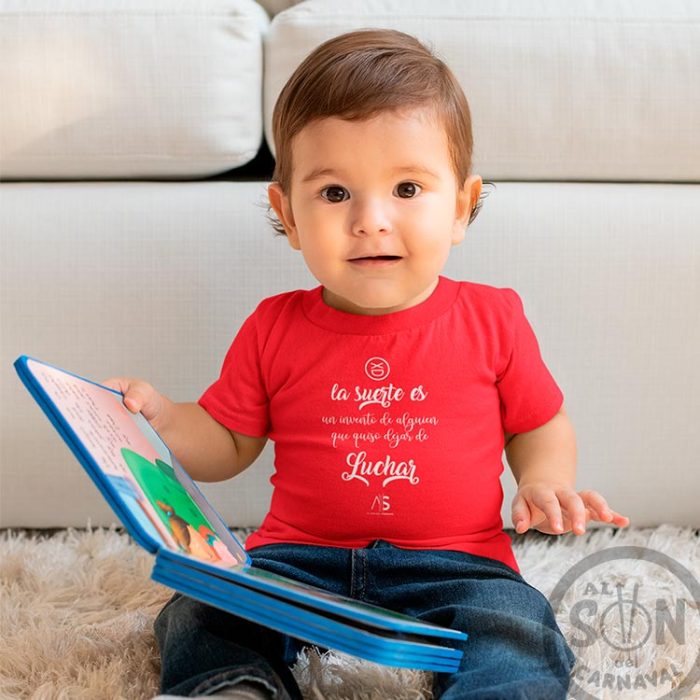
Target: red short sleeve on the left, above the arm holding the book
(238, 399)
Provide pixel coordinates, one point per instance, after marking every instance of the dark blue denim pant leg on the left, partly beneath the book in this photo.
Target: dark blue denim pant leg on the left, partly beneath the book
(204, 649)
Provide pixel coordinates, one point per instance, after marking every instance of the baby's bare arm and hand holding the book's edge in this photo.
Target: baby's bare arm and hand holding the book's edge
(206, 449)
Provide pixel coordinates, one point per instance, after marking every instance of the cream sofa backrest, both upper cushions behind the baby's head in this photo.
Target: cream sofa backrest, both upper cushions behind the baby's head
(593, 91)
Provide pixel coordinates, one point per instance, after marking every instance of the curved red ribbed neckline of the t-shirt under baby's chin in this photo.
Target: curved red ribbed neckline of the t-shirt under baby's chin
(321, 314)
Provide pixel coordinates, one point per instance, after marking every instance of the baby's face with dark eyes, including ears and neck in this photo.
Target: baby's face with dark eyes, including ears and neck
(381, 187)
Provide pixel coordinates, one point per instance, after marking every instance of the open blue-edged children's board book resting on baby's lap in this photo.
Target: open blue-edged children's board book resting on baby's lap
(166, 513)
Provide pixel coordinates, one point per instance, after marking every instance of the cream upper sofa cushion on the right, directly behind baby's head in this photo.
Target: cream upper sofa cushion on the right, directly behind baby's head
(591, 90)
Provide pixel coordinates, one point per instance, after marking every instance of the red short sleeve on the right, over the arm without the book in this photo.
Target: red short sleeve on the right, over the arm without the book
(529, 395)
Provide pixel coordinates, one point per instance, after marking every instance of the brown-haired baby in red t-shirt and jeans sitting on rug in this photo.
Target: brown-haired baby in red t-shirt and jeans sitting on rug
(390, 392)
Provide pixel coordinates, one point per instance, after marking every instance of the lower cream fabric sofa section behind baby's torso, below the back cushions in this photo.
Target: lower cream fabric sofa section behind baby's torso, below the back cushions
(153, 280)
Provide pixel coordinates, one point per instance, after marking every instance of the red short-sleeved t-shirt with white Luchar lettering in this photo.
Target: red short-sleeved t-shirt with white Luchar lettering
(387, 427)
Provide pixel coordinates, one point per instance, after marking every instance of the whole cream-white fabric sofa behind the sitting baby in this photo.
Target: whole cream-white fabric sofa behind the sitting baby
(133, 237)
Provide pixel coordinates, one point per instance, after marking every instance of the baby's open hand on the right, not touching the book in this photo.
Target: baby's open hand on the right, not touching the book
(554, 509)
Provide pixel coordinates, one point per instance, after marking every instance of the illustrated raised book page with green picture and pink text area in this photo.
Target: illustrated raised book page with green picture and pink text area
(138, 468)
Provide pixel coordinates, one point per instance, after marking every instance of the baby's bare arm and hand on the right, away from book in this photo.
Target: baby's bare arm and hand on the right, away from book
(543, 462)
